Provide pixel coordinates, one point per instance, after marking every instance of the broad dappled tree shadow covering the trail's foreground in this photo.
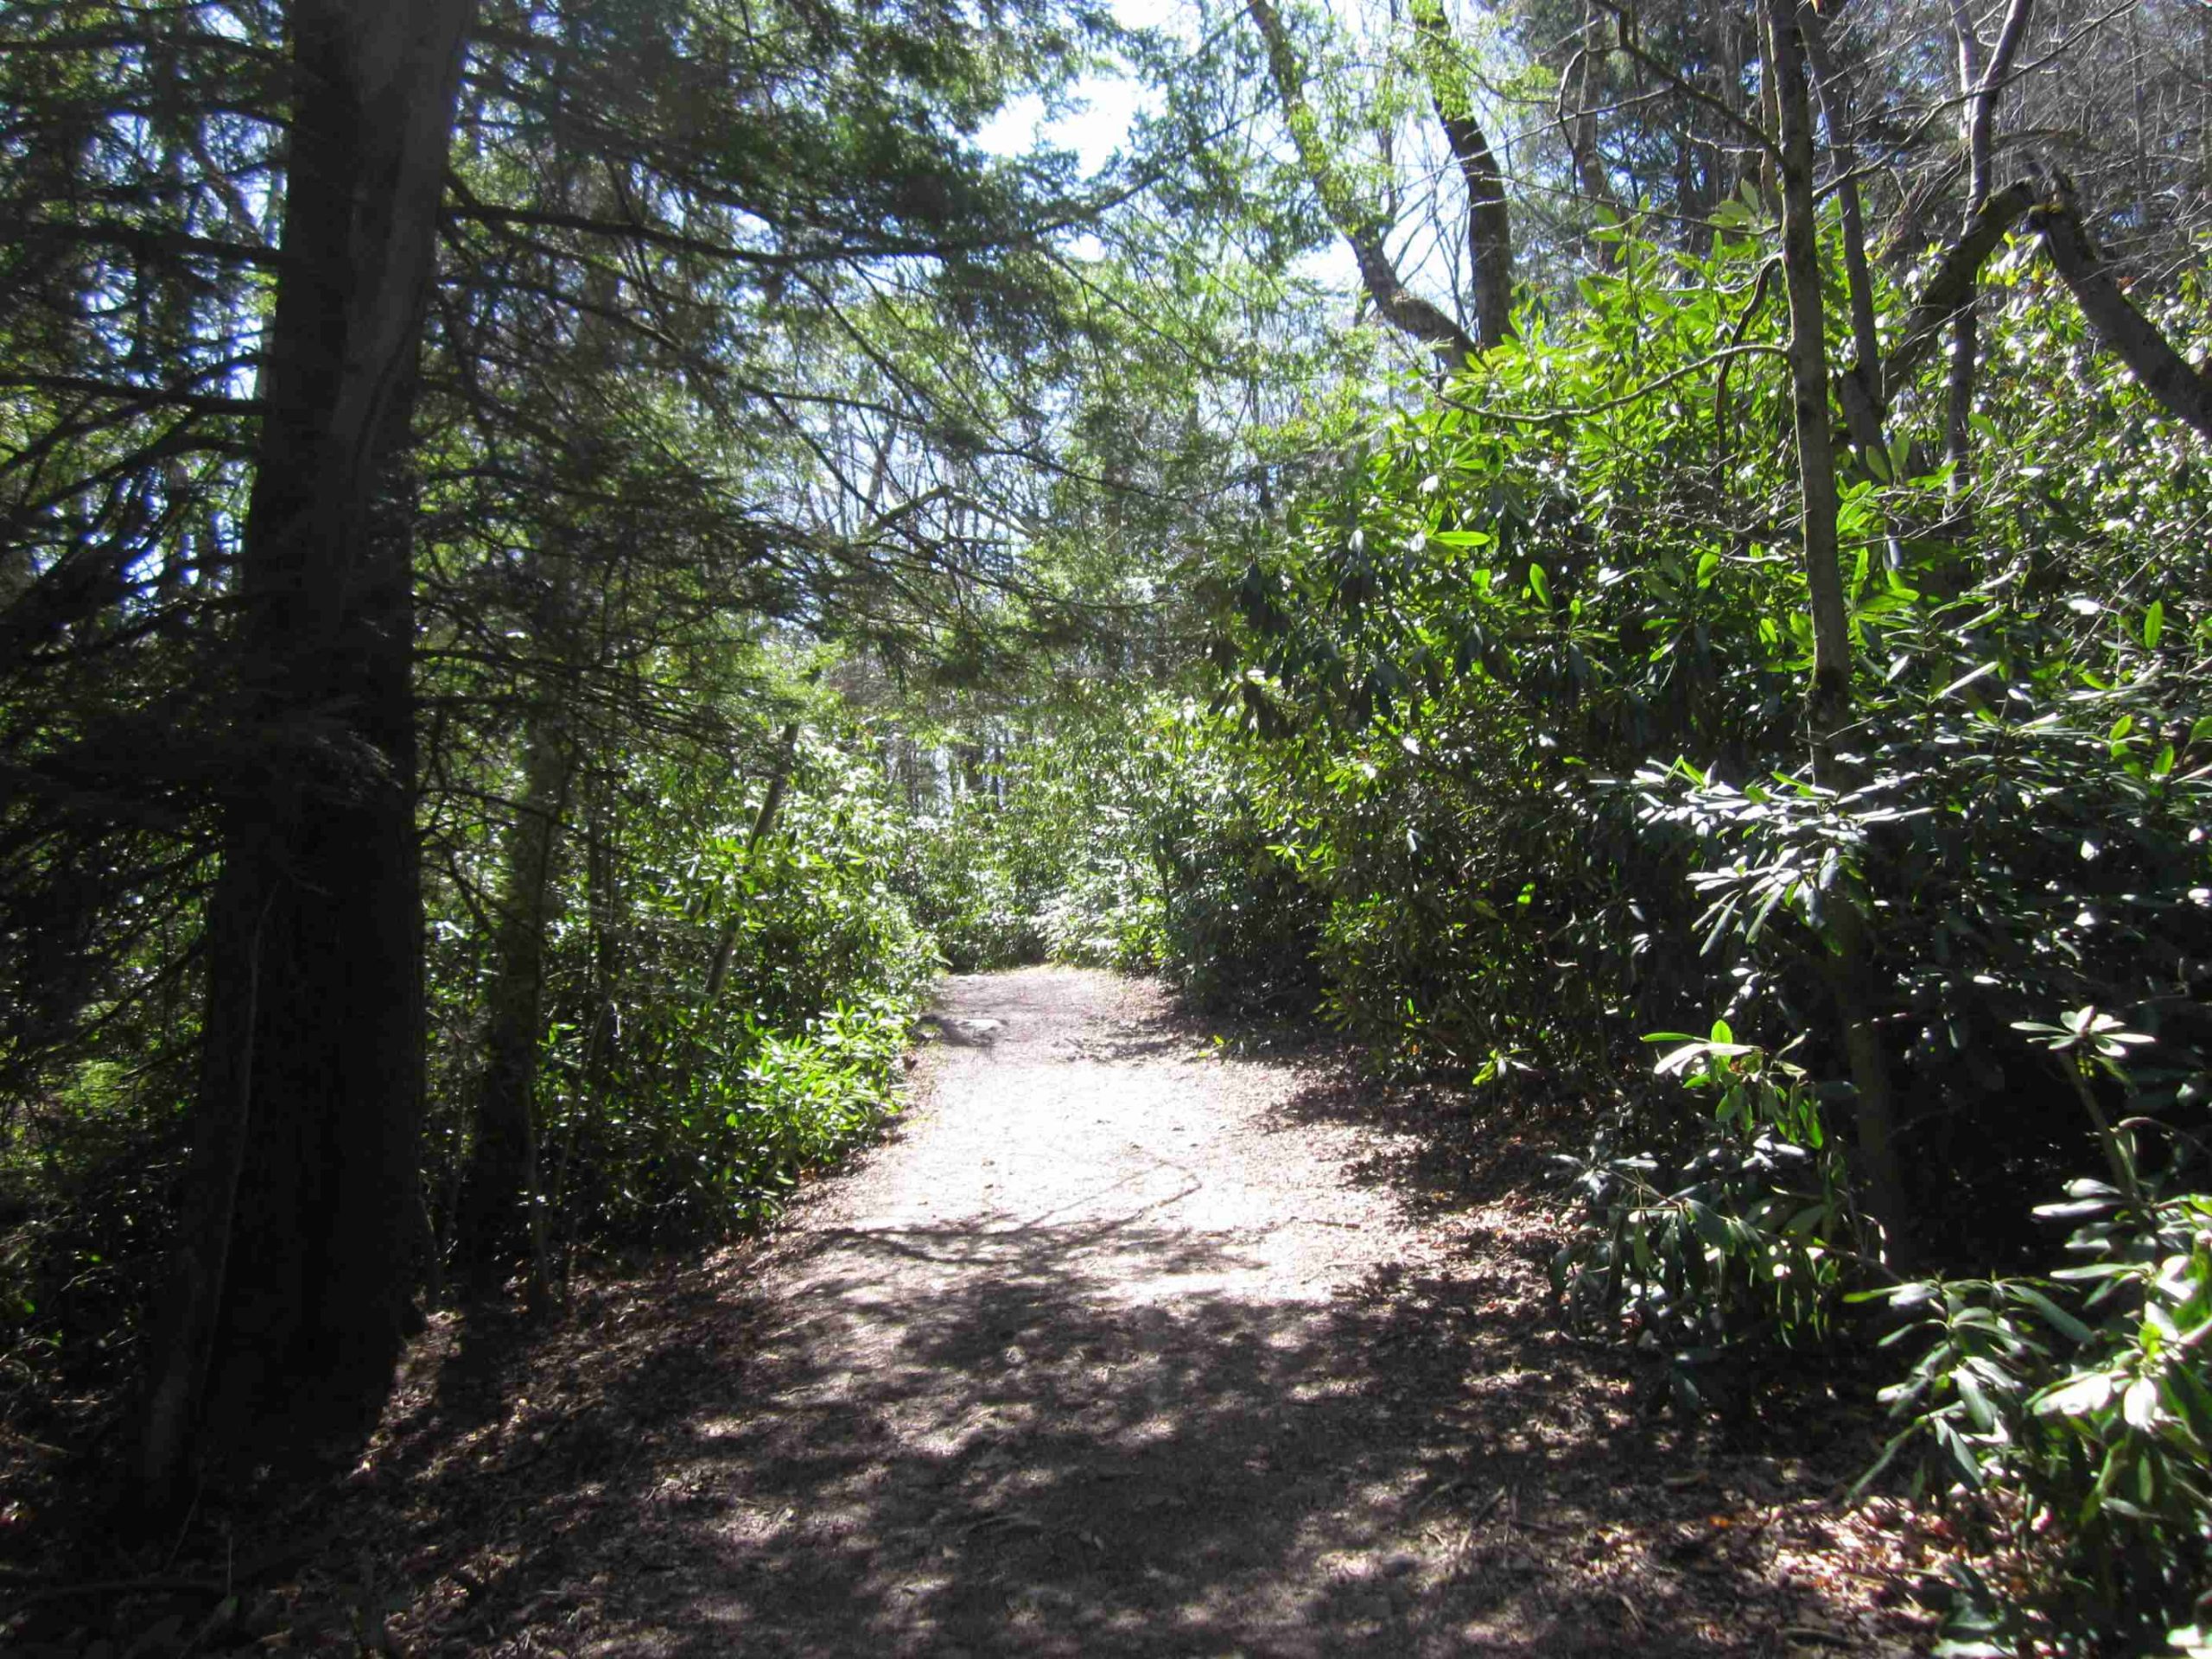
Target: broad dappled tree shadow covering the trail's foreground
(1025, 1465)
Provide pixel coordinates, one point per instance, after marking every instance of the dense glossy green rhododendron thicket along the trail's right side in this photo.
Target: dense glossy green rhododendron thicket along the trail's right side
(1505, 773)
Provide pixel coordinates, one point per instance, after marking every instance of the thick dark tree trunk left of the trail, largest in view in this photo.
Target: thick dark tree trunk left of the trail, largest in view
(293, 1284)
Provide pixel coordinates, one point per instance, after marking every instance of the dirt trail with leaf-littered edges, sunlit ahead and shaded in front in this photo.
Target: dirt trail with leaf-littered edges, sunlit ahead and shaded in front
(1125, 1342)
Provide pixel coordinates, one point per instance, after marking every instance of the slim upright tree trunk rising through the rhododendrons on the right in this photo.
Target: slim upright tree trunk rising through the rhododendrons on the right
(1830, 702)
